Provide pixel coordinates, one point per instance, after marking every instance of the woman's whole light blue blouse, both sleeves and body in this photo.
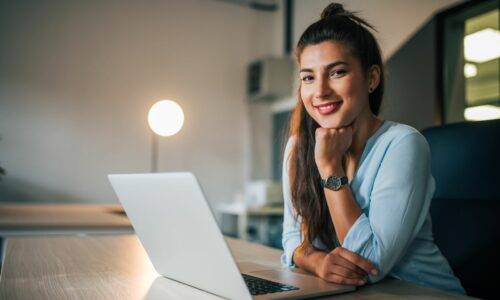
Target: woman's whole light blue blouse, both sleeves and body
(393, 186)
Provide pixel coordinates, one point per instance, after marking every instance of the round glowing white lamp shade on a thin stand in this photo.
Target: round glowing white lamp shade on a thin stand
(165, 117)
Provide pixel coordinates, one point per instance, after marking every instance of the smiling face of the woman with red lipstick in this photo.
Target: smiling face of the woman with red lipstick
(333, 87)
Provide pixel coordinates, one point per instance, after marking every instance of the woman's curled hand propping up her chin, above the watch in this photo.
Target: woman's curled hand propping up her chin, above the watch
(330, 147)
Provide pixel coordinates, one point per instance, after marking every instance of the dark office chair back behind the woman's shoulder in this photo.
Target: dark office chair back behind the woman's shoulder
(465, 210)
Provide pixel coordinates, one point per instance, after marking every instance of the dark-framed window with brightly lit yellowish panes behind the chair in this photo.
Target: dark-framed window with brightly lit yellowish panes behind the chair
(471, 55)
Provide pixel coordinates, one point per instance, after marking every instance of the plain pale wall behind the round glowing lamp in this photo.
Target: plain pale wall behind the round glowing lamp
(78, 77)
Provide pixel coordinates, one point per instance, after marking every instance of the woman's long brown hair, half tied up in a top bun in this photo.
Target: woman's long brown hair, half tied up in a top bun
(308, 198)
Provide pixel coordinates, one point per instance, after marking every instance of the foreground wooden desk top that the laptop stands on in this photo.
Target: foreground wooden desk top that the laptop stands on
(117, 267)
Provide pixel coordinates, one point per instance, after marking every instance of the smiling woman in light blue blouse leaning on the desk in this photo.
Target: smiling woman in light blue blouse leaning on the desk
(357, 188)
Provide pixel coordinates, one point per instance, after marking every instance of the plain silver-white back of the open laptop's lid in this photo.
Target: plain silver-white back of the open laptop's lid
(178, 231)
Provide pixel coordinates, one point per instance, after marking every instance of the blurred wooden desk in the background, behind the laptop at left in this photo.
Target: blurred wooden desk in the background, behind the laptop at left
(42, 219)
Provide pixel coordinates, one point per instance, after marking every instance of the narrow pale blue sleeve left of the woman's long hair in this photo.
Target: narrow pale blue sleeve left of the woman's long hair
(291, 225)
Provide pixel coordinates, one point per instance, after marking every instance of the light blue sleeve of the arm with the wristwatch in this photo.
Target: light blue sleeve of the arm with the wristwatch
(399, 204)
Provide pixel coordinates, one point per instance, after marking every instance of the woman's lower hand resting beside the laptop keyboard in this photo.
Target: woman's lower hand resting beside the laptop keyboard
(342, 266)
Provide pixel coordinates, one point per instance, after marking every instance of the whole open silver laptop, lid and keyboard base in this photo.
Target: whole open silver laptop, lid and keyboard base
(183, 241)
